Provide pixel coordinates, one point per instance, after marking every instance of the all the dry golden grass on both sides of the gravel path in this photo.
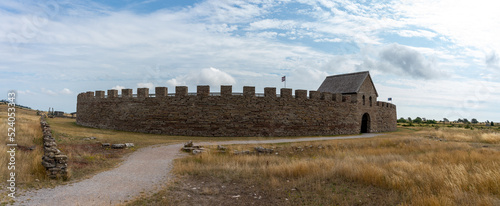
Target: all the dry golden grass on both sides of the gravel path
(414, 166)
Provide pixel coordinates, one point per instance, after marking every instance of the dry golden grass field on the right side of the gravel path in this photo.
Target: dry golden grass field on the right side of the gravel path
(414, 166)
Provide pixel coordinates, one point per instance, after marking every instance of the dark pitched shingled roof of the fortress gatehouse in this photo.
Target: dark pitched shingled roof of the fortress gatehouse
(345, 83)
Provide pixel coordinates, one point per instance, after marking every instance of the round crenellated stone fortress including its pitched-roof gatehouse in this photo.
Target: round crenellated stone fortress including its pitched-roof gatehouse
(343, 104)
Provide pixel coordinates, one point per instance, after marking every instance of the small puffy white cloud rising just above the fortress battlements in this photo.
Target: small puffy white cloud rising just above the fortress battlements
(210, 76)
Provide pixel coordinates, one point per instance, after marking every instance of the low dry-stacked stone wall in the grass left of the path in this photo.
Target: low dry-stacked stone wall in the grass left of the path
(53, 160)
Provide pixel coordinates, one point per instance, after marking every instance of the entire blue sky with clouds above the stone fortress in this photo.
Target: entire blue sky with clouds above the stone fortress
(435, 59)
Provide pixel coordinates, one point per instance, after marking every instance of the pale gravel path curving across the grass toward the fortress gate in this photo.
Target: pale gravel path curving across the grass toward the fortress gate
(142, 172)
